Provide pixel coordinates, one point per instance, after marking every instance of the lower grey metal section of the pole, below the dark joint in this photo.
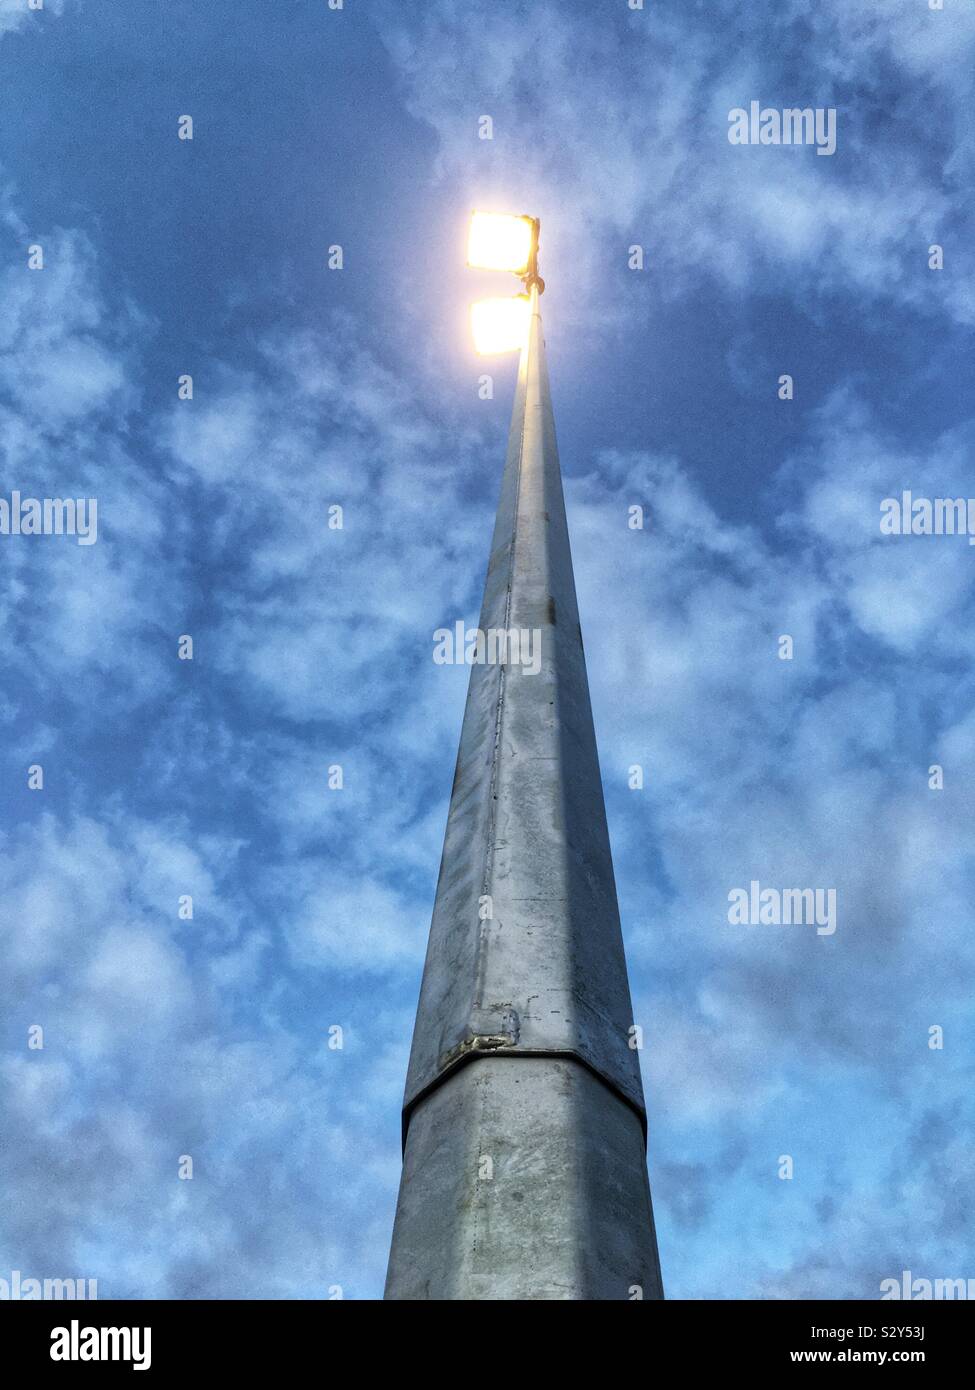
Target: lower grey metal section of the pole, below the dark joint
(525, 1179)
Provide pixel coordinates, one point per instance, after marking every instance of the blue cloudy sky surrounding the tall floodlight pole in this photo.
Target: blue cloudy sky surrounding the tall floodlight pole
(314, 389)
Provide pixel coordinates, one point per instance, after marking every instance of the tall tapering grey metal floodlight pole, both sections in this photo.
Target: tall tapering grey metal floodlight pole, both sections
(524, 1124)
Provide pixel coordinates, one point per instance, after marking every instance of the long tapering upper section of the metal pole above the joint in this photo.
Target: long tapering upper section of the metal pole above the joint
(526, 835)
